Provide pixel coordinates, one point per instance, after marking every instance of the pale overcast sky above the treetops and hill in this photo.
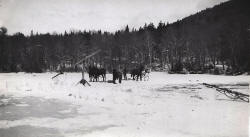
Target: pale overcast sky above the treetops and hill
(59, 15)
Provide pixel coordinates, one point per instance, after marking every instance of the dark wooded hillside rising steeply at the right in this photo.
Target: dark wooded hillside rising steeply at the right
(221, 32)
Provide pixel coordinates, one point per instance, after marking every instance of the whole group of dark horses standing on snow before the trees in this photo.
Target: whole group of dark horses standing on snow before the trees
(136, 74)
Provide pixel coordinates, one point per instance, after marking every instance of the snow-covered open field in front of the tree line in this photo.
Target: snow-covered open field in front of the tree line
(168, 105)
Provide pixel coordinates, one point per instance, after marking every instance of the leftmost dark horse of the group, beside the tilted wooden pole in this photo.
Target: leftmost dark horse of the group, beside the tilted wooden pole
(95, 73)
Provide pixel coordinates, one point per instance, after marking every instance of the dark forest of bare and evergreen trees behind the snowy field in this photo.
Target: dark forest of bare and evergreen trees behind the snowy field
(215, 40)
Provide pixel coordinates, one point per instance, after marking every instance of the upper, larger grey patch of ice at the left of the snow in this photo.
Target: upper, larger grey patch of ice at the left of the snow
(18, 108)
